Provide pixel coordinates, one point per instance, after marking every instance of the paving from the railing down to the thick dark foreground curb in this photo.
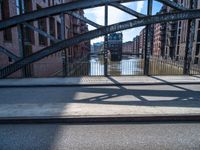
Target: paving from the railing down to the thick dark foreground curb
(97, 101)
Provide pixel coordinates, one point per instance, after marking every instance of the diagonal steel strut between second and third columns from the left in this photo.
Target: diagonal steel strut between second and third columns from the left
(84, 19)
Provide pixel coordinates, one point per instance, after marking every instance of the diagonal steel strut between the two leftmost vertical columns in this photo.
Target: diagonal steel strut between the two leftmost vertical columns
(41, 32)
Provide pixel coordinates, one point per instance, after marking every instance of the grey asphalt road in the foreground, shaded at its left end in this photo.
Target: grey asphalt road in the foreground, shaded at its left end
(181, 136)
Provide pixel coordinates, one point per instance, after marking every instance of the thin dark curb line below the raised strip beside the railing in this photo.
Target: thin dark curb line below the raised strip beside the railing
(99, 84)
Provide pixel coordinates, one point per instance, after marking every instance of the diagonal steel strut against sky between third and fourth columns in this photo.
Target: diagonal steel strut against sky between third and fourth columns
(127, 10)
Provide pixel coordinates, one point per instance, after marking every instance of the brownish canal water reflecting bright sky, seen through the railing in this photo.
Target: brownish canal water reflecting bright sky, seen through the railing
(129, 65)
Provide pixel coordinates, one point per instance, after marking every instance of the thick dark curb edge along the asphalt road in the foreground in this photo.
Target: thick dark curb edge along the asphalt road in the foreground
(97, 119)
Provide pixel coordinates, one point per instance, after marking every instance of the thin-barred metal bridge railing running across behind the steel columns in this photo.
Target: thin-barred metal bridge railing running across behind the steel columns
(158, 66)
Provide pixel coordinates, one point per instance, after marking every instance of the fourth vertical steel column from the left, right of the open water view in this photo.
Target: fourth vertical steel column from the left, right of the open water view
(148, 41)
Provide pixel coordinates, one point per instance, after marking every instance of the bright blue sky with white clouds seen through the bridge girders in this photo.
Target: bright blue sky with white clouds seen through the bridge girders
(115, 16)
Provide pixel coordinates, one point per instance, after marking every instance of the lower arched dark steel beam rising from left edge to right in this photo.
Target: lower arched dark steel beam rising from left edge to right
(184, 15)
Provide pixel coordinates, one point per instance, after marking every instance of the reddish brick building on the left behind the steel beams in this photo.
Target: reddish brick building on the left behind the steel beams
(33, 41)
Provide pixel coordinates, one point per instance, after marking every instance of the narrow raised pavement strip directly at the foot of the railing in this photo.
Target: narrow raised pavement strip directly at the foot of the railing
(127, 80)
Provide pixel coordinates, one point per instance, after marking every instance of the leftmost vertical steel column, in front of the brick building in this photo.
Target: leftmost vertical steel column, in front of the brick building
(20, 29)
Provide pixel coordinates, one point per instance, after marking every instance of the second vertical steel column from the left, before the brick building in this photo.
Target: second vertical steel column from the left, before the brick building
(64, 52)
